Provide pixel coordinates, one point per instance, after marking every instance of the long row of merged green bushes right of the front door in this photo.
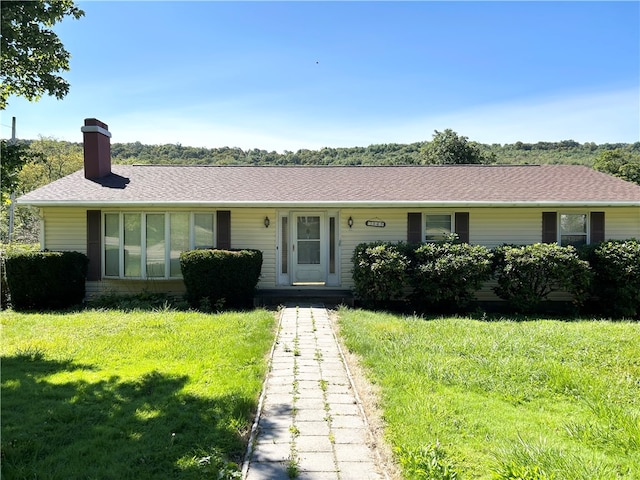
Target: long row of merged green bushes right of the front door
(446, 276)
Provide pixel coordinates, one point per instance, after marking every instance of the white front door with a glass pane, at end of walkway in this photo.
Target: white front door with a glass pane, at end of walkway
(309, 249)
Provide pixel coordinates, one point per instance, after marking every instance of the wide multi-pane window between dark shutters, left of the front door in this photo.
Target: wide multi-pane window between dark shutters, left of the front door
(148, 245)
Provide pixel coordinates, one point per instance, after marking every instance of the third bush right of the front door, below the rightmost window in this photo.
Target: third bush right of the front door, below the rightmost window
(527, 274)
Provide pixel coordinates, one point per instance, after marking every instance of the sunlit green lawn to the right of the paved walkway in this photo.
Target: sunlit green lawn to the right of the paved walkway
(540, 399)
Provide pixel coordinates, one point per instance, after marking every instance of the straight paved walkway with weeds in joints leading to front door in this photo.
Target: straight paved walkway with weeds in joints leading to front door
(311, 424)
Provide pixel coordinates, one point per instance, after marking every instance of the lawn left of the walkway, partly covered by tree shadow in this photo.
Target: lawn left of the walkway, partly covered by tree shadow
(113, 394)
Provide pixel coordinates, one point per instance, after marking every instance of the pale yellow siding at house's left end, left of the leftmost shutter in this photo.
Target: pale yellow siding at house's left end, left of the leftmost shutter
(65, 229)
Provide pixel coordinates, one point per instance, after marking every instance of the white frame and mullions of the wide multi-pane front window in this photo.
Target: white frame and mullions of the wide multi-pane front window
(143, 241)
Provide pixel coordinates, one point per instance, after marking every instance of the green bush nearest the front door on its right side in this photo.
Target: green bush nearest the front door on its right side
(379, 273)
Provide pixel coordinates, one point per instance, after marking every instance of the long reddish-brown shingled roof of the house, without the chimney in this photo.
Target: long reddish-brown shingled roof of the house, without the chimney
(455, 185)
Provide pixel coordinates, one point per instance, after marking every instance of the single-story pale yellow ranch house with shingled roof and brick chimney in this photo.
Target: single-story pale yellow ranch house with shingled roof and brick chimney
(134, 220)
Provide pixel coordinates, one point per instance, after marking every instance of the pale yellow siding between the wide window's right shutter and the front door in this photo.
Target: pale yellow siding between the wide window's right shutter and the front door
(248, 231)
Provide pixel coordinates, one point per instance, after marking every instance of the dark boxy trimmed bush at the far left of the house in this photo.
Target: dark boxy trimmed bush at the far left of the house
(46, 280)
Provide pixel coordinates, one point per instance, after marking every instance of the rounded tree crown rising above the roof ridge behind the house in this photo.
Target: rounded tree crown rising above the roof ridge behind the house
(449, 148)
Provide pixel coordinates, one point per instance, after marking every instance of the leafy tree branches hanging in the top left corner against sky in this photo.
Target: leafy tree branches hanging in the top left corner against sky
(31, 54)
